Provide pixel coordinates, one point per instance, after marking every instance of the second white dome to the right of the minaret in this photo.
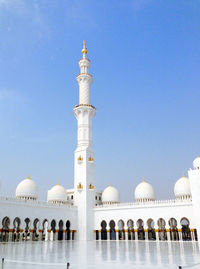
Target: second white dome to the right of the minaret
(144, 192)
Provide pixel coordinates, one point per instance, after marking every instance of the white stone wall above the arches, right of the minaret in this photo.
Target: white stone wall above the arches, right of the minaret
(152, 210)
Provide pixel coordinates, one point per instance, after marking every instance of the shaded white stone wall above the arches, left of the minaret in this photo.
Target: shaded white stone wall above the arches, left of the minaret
(13, 208)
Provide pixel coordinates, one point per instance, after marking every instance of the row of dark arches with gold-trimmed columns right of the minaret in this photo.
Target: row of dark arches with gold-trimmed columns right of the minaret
(151, 230)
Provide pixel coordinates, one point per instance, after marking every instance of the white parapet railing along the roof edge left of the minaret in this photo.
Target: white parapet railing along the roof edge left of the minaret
(34, 202)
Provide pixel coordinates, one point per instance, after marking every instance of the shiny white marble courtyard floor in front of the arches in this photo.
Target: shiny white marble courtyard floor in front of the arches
(104, 255)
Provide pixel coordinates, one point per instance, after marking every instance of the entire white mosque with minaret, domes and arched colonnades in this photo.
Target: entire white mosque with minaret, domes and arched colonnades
(84, 213)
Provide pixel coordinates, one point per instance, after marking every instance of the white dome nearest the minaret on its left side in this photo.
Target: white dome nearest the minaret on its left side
(57, 194)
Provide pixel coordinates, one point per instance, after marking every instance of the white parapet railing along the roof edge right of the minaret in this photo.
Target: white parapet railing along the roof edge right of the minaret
(147, 203)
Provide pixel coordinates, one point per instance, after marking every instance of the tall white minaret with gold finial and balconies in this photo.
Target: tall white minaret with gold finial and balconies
(84, 170)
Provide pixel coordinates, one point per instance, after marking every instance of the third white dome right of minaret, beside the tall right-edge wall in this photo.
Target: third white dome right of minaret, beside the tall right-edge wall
(182, 188)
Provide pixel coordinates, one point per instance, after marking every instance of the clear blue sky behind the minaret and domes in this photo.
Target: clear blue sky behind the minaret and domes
(145, 61)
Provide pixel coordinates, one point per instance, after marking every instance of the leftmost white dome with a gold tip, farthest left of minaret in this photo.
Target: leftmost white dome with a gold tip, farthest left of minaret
(27, 189)
